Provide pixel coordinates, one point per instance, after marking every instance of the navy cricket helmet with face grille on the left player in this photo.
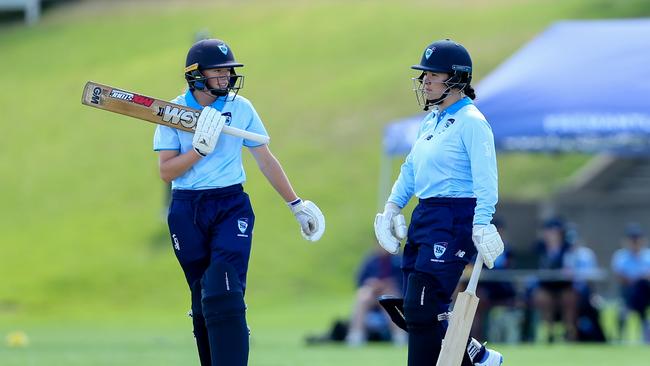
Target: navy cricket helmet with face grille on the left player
(212, 54)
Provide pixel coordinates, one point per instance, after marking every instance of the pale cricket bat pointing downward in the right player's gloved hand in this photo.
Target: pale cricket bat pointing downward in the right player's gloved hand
(462, 316)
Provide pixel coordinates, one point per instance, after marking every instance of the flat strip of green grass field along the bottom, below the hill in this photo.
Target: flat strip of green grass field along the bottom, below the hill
(283, 346)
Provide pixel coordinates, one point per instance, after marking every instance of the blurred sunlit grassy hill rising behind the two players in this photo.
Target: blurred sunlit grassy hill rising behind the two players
(81, 226)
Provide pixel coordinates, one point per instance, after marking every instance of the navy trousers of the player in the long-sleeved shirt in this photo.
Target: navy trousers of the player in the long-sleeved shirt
(438, 247)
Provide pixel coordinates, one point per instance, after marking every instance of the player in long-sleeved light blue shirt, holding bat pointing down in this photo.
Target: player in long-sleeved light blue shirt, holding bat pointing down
(452, 170)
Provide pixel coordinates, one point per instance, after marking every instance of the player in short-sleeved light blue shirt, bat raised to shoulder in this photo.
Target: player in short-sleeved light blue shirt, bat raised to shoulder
(210, 217)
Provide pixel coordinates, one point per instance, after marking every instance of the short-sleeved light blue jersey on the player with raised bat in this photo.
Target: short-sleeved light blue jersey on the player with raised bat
(223, 167)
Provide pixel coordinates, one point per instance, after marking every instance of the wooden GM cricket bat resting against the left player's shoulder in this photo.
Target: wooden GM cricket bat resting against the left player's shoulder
(152, 110)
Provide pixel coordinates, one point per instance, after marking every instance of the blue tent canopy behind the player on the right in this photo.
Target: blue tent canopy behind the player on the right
(579, 86)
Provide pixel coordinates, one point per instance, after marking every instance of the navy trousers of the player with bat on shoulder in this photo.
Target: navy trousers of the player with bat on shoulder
(208, 227)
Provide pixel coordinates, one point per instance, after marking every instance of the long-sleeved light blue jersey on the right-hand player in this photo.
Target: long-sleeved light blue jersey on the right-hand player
(453, 156)
